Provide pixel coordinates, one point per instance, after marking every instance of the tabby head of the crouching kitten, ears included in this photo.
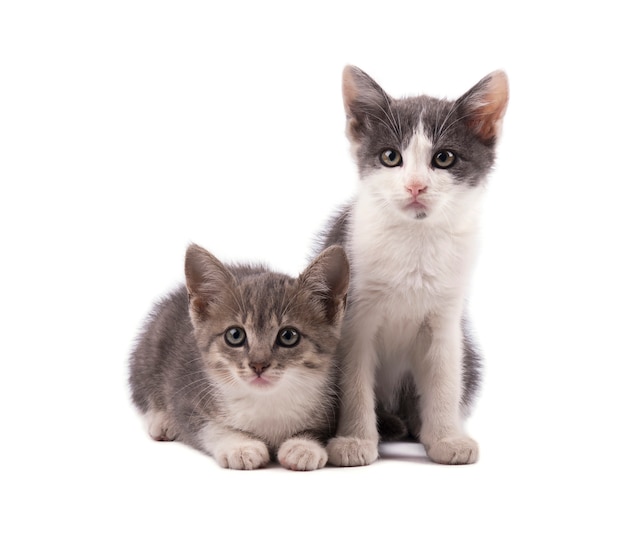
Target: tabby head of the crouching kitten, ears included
(259, 330)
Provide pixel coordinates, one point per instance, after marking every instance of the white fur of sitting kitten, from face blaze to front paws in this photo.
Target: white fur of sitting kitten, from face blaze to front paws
(409, 280)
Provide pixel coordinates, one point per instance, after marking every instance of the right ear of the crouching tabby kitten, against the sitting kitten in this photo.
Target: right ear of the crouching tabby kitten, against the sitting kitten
(327, 277)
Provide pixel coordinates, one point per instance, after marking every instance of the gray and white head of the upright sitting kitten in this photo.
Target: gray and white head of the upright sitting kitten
(423, 157)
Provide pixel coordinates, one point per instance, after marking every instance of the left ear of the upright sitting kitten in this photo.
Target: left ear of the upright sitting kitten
(362, 99)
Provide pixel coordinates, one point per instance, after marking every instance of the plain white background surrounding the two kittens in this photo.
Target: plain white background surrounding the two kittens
(130, 129)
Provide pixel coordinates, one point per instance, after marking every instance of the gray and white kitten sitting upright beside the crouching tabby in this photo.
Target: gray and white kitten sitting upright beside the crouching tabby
(410, 235)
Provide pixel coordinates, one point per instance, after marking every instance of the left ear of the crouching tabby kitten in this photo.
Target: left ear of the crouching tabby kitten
(207, 278)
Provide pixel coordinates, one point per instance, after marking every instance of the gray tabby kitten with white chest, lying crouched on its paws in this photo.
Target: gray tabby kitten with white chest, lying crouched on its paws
(240, 363)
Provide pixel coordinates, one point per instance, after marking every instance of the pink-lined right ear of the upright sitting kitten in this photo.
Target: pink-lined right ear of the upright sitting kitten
(484, 105)
